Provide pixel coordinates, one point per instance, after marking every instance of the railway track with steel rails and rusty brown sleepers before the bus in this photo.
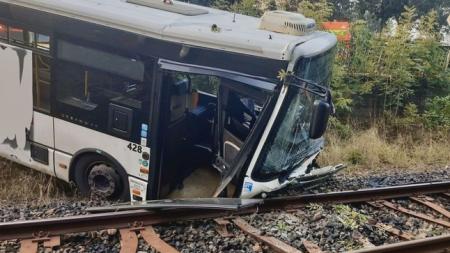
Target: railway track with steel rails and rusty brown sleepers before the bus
(134, 222)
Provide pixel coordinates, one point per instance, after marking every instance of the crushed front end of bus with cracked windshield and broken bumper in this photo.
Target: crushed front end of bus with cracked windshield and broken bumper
(293, 137)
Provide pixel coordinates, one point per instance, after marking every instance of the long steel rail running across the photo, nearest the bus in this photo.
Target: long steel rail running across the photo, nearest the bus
(126, 219)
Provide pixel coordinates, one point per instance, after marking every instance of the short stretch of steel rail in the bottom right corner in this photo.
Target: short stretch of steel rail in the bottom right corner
(436, 244)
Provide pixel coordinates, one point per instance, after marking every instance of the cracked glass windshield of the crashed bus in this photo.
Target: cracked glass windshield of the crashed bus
(288, 144)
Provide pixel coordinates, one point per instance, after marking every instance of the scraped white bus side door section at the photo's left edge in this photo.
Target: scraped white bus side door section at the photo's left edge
(26, 132)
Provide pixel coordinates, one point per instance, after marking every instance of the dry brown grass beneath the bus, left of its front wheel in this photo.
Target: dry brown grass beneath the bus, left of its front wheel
(22, 185)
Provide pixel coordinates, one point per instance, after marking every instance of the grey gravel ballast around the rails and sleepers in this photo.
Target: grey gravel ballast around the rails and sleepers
(333, 228)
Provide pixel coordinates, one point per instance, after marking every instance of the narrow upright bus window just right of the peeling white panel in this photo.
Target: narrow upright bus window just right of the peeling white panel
(41, 82)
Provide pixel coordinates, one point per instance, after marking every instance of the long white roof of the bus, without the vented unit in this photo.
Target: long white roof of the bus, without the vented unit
(197, 26)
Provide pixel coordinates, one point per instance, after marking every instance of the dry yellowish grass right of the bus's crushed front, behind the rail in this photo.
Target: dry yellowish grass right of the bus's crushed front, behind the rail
(369, 151)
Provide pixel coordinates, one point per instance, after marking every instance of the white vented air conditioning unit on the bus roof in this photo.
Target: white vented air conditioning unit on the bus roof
(287, 23)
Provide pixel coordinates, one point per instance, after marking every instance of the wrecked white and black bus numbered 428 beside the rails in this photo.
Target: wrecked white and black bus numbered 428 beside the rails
(150, 99)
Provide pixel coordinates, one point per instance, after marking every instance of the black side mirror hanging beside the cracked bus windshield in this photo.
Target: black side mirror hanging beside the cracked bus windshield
(319, 119)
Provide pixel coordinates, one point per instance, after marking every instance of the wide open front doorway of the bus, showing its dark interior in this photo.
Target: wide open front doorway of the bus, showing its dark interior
(226, 142)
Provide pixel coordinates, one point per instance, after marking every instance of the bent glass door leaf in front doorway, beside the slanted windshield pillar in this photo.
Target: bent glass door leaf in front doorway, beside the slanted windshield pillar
(240, 107)
